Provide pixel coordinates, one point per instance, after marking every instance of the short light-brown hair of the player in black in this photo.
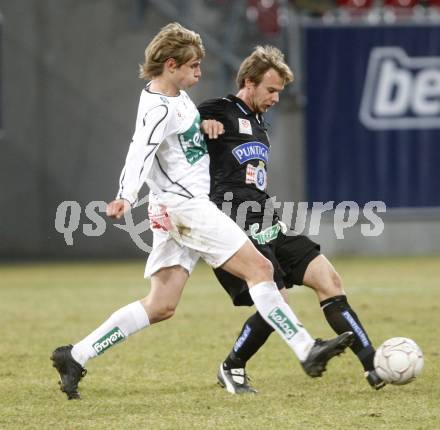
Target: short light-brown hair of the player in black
(259, 62)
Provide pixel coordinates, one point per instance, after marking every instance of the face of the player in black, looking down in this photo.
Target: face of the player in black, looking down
(267, 92)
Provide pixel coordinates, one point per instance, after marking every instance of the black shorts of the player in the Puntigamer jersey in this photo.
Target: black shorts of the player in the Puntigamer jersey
(290, 256)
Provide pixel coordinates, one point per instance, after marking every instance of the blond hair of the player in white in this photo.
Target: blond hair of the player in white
(172, 41)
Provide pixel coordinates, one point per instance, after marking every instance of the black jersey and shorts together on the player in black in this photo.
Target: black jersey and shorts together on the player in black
(238, 163)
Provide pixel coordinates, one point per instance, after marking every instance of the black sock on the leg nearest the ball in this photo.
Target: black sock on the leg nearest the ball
(341, 317)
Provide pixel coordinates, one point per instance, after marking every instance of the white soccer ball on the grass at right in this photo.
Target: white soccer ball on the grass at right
(398, 360)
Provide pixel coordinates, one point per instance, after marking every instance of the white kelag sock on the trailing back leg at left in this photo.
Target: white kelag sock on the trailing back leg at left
(121, 324)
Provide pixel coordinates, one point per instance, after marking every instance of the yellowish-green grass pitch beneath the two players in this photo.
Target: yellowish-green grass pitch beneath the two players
(165, 376)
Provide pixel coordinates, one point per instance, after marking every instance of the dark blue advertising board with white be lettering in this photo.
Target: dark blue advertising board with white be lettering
(373, 114)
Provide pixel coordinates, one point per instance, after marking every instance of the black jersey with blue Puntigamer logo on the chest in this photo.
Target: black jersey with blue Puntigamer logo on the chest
(239, 157)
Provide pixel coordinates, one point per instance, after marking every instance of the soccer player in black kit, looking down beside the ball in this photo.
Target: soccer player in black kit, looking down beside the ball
(239, 159)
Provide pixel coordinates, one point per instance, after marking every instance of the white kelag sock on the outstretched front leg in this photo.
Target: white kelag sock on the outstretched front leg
(276, 312)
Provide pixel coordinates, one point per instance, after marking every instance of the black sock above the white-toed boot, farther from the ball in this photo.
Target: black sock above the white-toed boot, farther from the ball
(252, 336)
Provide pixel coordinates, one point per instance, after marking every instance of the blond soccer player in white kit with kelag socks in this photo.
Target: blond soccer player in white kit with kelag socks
(168, 152)
